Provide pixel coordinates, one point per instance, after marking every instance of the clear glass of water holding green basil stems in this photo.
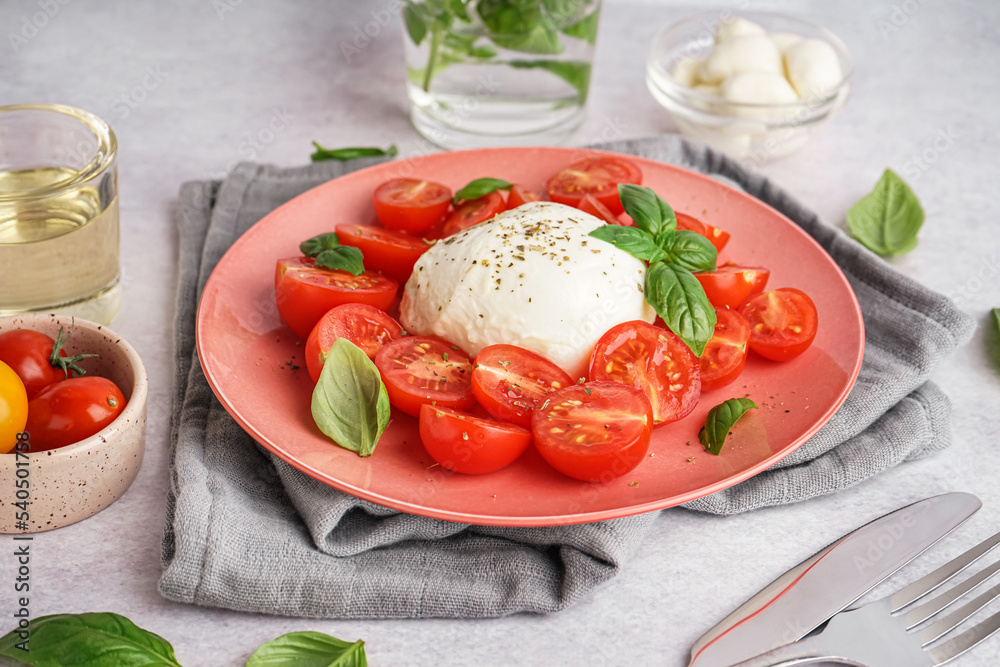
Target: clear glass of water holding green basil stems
(498, 72)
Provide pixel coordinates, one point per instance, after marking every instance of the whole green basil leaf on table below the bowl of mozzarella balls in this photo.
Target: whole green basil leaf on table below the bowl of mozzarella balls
(886, 221)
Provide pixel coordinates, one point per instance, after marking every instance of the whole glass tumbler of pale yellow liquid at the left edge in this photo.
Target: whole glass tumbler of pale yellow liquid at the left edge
(59, 245)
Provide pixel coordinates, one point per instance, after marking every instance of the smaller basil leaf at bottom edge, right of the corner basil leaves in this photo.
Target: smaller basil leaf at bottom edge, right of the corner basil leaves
(309, 649)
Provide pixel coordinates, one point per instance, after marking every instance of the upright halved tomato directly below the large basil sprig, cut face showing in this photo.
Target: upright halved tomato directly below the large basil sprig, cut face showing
(654, 361)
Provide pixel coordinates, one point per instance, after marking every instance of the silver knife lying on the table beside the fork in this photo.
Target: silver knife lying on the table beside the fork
(802, 599)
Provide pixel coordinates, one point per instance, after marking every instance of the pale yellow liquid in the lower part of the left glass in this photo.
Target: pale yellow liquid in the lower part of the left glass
(59, 251)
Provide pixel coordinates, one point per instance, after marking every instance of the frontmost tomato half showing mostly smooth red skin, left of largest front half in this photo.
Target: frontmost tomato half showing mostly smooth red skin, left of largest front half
(468, 444)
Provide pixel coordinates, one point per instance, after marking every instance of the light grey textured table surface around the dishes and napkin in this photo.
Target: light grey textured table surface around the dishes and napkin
(187, 85)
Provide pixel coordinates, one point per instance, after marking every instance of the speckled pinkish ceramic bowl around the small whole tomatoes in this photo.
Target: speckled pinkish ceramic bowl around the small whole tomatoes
(72, 483)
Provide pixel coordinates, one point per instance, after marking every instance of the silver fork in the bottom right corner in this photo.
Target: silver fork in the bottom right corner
(880, 634)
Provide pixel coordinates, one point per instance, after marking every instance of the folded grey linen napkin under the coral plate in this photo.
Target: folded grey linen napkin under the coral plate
(246, 531)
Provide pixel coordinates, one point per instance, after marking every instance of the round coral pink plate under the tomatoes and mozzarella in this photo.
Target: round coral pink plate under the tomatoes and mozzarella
(245, 351)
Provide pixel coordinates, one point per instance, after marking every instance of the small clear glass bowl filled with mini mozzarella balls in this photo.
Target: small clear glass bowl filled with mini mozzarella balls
(756, 85)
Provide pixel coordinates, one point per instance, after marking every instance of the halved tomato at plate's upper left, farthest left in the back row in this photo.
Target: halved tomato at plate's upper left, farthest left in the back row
(411, 205)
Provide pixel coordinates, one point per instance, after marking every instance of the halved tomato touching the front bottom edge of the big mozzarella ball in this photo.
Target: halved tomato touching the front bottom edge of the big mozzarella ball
(511, 382)
